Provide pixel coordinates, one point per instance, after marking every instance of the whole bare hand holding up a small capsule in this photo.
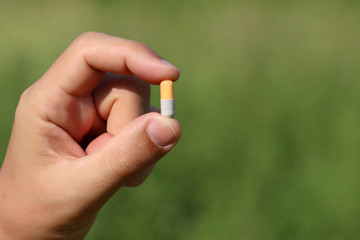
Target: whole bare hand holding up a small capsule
(80, 134)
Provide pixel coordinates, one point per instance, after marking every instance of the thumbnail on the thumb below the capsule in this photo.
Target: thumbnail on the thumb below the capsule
(160, 131)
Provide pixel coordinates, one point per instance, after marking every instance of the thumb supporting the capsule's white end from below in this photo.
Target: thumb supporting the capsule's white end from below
(135, 149)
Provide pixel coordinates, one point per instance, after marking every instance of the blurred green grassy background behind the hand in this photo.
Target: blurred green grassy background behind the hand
(268, 100)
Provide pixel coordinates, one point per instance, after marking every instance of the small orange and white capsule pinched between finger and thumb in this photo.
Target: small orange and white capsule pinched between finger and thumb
(167, 101)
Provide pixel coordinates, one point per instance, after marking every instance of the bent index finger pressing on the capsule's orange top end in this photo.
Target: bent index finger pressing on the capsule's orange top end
(83, 64)
